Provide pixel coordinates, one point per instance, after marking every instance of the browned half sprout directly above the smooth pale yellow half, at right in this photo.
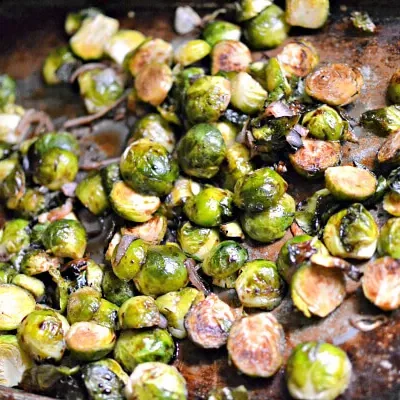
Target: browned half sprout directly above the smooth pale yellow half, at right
(315, 157)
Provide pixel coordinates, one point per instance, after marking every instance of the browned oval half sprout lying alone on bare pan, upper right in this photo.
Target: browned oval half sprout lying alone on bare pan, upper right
(335, 84)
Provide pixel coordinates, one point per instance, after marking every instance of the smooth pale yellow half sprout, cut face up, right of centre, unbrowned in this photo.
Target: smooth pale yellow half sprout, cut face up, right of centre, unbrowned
(350, 183)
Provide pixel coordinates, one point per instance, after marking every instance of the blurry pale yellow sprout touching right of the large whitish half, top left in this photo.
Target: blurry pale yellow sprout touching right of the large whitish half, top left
(122, 43)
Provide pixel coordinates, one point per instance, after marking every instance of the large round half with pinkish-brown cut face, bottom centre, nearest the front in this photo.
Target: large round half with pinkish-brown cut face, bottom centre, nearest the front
(250, 339)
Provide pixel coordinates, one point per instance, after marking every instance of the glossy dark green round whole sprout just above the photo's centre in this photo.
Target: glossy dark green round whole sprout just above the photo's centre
(201, 151)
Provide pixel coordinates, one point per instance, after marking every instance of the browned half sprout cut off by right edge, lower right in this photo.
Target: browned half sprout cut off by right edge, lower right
(381, 282)
